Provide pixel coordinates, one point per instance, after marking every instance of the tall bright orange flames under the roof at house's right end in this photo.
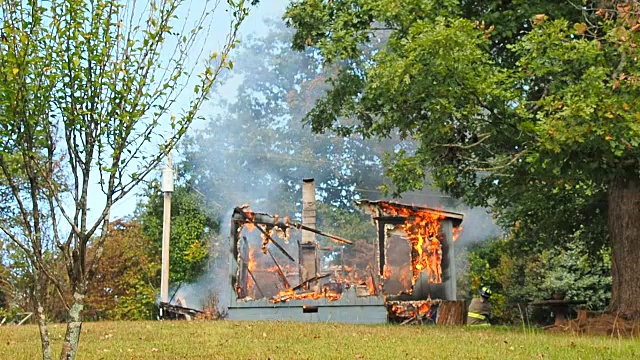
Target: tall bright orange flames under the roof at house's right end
(422, 230)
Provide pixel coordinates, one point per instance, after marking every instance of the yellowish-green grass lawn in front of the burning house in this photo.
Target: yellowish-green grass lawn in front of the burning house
(287, 340)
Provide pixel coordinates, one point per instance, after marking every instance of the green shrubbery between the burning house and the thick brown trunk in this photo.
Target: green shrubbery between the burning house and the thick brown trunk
(518, 277)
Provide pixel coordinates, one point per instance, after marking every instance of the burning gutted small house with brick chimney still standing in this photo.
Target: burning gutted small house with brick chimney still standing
(280, 274)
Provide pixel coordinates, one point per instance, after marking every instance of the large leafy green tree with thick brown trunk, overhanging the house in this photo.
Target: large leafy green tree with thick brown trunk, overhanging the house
(543, 106)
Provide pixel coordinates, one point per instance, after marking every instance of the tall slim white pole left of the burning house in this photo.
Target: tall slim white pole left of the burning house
(167, 189)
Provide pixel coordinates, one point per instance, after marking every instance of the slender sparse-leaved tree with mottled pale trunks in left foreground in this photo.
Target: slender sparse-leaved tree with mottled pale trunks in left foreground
(86, 91)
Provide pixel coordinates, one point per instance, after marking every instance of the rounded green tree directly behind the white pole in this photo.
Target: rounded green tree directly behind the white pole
(193, 225)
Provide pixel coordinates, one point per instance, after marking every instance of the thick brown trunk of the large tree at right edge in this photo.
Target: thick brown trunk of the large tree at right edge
(624, 231)
